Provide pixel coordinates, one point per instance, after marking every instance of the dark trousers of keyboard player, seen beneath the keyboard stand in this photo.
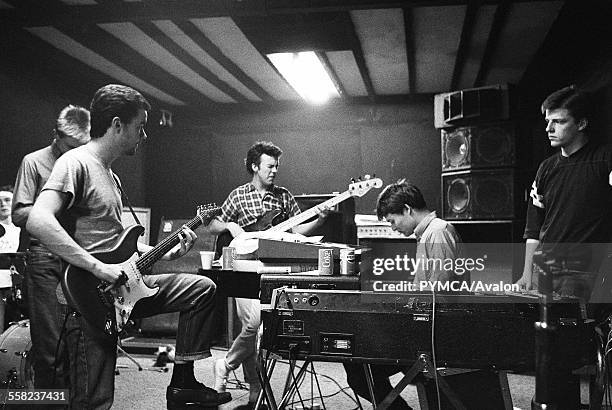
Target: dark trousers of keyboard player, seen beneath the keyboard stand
(356, 378)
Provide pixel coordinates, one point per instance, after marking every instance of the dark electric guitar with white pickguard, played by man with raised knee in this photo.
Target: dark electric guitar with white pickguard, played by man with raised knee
(109, 311)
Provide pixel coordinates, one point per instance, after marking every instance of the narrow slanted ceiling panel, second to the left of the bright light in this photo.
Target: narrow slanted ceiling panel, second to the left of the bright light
(186, 43)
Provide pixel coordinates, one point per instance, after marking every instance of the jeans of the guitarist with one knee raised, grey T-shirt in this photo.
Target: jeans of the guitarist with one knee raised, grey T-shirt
(191, 295)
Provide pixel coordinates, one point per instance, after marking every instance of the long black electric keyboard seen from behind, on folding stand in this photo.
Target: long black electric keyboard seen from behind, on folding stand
(470, 331)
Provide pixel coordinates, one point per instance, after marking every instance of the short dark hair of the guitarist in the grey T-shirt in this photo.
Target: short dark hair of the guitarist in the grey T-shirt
(112, 101)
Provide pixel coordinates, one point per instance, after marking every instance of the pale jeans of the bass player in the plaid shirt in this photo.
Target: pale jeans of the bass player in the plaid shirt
(244, 349)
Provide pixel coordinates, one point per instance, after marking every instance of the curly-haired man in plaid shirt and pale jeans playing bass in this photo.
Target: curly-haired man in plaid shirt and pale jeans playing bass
(243, 207)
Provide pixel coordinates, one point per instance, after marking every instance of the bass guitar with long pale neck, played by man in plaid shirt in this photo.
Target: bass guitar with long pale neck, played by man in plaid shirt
(275, 220)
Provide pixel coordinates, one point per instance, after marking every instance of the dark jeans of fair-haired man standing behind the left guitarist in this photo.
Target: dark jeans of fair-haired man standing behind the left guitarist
(47, 315)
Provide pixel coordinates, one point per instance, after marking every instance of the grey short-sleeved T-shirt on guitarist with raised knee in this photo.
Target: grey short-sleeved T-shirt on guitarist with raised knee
(93, 214)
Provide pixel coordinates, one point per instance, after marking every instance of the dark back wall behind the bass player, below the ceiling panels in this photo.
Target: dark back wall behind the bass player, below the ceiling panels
(323, 148)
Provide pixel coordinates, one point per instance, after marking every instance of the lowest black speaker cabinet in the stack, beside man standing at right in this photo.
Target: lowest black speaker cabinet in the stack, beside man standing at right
(480, 194)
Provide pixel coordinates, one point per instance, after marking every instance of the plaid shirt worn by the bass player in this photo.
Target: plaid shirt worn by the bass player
(244, 205)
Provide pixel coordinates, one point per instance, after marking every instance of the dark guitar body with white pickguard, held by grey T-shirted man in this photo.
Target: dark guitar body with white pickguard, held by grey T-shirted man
(105, 310)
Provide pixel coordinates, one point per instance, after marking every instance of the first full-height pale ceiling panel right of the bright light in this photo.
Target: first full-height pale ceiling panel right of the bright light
(383, 41)
